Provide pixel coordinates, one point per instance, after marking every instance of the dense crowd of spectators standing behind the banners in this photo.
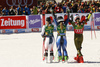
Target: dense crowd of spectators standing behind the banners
(48, 7)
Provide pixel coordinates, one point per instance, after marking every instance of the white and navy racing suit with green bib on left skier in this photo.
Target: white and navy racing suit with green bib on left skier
(47, 33)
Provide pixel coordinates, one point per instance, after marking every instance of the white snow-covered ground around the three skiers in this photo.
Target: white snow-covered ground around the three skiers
(25, 50)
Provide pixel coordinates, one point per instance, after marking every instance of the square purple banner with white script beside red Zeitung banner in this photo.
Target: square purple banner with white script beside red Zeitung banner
(34, 21)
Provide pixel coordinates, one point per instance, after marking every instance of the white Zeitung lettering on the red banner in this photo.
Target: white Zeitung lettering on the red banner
(11, 22)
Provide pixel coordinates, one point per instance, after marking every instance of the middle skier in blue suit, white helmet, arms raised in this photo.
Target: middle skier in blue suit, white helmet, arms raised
(61, 41)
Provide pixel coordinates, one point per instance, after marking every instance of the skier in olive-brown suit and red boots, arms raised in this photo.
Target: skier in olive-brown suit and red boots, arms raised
(78, 33)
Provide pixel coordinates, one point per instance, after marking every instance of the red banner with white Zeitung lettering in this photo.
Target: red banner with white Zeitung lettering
(13, 22)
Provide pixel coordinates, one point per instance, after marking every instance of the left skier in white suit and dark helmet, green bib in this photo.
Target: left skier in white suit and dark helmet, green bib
(47, 34)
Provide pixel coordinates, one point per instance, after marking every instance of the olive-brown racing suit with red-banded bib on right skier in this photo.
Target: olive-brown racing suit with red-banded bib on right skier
(78, 33)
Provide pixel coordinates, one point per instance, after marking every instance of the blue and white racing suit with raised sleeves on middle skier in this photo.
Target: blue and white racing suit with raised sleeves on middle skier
(61, 41)
